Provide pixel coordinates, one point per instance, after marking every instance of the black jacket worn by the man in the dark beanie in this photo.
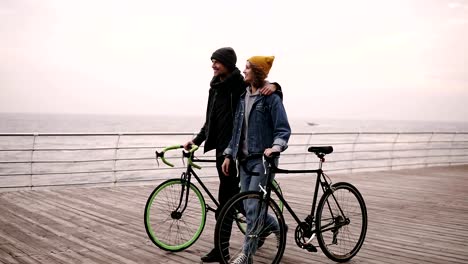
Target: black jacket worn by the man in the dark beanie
(222, 103)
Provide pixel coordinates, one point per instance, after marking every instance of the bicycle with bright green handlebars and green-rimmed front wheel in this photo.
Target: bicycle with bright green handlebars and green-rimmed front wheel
(175, 212)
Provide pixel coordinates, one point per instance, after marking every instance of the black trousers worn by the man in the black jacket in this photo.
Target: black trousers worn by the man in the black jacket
(228, 185)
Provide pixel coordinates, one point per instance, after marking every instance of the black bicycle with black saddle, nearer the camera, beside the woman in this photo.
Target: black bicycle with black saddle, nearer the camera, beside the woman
(339, 222)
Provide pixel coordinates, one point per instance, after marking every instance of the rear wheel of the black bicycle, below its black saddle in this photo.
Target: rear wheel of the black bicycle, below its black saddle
(341, 222)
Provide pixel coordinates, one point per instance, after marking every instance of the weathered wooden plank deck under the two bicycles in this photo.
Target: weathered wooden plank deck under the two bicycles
(415, 216)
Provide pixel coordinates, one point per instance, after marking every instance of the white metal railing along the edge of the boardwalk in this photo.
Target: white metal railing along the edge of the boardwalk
(63, 159)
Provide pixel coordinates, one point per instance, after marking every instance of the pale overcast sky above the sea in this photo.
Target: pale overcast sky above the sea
(361, 59)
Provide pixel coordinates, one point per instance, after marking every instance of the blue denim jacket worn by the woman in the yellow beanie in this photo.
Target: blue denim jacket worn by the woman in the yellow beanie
(268, 126)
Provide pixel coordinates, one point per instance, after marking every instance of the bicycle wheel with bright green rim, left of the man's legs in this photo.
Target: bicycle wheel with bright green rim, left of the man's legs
(174, 221)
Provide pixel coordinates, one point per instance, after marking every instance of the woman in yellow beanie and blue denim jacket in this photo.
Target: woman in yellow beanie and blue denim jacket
(260, 126)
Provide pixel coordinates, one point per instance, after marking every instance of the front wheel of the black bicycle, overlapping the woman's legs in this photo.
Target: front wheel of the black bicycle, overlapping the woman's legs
(232, 242)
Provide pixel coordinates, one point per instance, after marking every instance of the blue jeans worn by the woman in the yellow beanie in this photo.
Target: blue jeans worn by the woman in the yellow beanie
(251, 183)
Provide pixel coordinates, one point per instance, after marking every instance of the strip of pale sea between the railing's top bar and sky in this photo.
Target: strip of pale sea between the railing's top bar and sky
(98, 123)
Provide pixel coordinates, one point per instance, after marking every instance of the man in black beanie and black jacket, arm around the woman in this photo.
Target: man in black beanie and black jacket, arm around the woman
(226, 87)
